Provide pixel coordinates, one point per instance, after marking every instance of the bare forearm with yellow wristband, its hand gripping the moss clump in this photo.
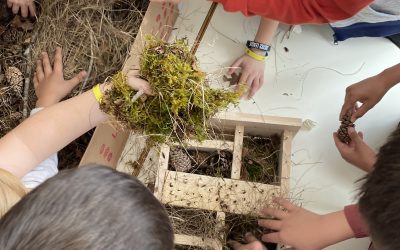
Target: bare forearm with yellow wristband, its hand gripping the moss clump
(46, 132)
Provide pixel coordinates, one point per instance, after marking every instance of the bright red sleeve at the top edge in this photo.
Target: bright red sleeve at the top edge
(297, 11)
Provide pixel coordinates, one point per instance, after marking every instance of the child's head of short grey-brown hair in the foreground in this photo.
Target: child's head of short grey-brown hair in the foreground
(91, 207)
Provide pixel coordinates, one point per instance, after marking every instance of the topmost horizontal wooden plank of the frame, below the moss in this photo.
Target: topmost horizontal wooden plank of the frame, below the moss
(256, 125)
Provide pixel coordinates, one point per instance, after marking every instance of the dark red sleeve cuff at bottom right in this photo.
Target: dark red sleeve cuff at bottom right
(357, 223)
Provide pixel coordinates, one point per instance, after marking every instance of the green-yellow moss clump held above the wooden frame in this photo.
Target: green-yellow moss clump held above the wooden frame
(183, 101)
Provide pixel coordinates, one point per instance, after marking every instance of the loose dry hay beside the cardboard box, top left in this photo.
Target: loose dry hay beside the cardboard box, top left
(95, 34)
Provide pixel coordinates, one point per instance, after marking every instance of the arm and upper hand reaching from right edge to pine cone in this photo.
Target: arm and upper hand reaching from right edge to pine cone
(369, 92)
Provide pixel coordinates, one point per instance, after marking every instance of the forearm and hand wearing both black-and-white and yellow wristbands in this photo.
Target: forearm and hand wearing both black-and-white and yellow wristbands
(253, 70)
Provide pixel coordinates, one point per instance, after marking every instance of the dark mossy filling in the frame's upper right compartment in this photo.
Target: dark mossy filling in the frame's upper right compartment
(260, 159)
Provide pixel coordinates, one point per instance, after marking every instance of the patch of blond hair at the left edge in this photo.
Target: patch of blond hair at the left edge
(11, 191)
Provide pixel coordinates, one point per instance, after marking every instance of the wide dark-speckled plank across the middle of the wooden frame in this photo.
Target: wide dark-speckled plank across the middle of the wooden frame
(215, 194)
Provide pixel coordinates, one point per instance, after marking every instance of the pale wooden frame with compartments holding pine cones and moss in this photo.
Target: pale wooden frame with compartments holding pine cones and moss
(227, 195)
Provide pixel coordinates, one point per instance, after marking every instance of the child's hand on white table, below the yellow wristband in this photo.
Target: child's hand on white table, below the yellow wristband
(252, 73)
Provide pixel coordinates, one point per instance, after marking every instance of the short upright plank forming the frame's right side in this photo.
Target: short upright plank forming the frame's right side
(285, 161)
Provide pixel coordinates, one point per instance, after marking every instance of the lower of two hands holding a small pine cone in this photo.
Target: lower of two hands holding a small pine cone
(357, 152)
